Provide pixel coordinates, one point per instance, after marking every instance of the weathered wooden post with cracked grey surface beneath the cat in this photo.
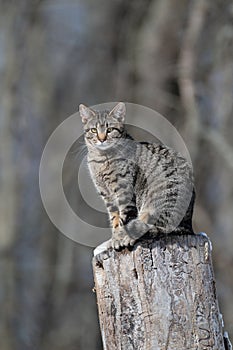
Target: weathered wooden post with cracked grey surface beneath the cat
(160, 296)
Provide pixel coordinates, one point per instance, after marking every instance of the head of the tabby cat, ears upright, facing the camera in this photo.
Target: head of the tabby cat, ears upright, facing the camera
(103, 129)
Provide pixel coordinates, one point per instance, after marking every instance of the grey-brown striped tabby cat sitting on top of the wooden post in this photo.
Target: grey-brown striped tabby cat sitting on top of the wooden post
(147, 187)
